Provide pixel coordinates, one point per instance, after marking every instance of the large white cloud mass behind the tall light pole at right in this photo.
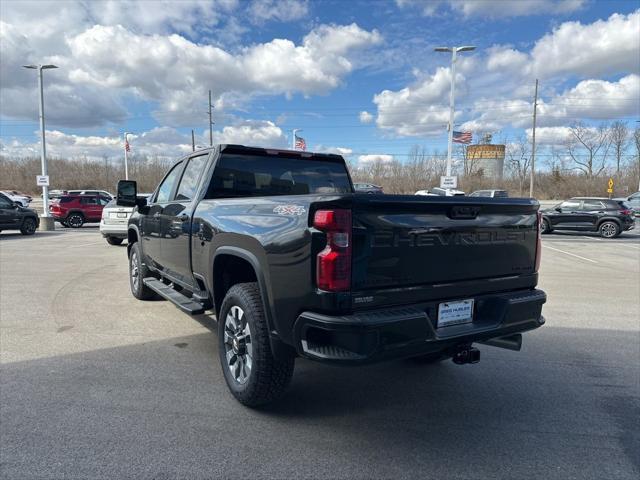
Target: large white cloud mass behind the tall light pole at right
(502, 86)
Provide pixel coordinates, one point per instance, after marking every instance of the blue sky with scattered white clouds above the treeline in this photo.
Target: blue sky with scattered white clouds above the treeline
(274, 65)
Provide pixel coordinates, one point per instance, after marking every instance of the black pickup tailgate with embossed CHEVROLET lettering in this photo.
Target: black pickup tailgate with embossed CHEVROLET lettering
(404, 241)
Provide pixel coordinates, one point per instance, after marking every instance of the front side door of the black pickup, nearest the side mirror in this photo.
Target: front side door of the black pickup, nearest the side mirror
(150, 224)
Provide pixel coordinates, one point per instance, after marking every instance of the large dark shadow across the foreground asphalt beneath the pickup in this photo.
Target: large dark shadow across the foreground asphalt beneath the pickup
(160, 409)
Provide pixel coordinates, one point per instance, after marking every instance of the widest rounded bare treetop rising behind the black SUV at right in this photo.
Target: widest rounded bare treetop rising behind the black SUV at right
(588, 148)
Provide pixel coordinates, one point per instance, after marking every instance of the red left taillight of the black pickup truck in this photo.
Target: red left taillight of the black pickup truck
(333, 264)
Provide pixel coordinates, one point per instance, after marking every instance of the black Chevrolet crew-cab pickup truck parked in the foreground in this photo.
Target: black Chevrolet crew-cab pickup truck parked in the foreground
(295, 264)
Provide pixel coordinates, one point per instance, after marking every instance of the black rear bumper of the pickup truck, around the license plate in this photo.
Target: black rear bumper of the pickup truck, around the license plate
(407, 331)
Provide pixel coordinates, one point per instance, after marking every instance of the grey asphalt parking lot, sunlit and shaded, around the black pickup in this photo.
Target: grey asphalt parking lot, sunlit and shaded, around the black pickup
(96, 384)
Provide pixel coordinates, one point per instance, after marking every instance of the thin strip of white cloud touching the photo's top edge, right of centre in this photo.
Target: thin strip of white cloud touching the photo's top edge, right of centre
(496, 8)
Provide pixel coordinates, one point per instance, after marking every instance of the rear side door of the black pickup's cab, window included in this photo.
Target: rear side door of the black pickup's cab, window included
(176, 225)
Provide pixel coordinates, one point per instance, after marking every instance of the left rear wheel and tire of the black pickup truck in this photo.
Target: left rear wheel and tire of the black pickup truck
(253, 374)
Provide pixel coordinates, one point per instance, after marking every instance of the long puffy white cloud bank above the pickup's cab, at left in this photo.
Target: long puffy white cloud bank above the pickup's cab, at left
(175, 72)
